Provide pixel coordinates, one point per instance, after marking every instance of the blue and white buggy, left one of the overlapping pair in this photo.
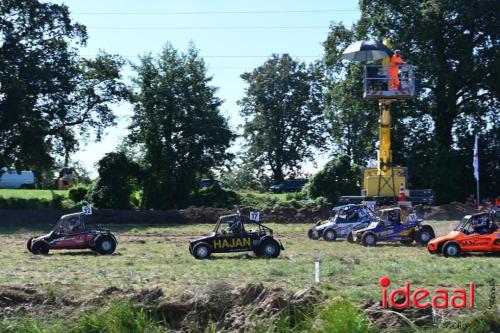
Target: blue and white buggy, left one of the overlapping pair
(343, 219)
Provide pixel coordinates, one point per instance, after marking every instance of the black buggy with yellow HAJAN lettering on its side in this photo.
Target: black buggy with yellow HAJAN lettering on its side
(230, 235)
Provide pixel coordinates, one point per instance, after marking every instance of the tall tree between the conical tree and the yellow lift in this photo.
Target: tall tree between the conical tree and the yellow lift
(283, 111)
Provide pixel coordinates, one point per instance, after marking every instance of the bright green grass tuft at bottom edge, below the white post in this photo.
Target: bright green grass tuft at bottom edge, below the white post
(339, 317)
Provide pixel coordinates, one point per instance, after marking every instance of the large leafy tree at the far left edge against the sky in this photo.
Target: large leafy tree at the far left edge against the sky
(49, 95)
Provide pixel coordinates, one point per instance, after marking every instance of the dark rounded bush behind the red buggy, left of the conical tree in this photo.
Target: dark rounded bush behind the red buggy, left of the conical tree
(118, 177)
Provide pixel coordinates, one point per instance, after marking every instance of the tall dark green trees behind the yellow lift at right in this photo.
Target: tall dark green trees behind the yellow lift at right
(457, 68)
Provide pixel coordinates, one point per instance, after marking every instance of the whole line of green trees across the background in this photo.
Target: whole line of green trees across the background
(52, 99)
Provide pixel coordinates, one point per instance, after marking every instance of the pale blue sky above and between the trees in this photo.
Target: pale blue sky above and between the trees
(232, 36)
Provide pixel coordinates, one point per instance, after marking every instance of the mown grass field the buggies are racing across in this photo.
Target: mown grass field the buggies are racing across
(158, 256)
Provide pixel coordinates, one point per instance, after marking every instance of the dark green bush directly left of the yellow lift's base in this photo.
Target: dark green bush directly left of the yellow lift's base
(338, 177)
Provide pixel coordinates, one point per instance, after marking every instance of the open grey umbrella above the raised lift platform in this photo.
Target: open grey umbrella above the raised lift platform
(366, 50)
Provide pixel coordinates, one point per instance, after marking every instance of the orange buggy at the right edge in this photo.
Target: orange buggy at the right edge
(475, 233)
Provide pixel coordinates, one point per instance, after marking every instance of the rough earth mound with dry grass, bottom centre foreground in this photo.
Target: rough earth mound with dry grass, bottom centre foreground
(236, 309)
